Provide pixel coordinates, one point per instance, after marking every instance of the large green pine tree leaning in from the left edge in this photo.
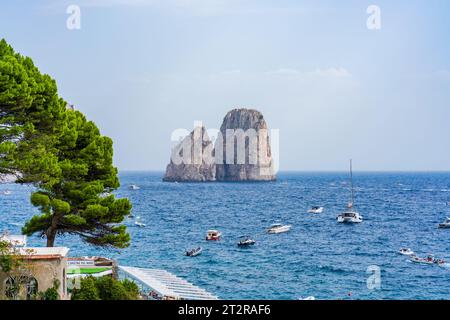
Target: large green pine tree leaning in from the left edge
(62, 154)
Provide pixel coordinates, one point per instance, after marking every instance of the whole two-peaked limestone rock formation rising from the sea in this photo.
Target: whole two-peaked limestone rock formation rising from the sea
(241, 152)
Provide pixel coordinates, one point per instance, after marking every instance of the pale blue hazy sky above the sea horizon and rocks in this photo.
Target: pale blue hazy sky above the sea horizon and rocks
(334, 88)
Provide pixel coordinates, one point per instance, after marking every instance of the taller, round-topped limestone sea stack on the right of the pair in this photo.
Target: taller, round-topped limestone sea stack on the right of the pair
(246, 153)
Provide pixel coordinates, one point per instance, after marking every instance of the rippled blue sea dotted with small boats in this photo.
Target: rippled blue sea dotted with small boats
(317, 257)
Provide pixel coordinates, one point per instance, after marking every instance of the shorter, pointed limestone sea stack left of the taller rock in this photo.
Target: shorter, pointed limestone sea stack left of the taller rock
(192, 159)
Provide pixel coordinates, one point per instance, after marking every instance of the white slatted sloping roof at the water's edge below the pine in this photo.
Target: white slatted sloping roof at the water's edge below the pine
(167, 284)
